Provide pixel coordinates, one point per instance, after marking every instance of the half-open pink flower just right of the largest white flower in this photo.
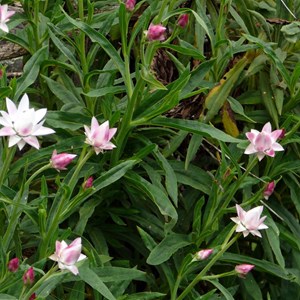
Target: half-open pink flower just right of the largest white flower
(99, 136)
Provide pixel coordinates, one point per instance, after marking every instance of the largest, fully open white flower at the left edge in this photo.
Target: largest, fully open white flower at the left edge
(23, 124)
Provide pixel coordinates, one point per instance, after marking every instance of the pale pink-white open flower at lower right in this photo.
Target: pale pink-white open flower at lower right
(249, 221)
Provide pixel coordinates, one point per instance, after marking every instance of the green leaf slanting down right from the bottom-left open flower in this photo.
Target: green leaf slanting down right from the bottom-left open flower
(91, 278)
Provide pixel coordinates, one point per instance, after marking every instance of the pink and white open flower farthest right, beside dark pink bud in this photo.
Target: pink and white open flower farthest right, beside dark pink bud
(264, 142)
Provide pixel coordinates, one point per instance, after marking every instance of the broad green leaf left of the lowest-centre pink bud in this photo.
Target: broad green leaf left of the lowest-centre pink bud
(167, 247)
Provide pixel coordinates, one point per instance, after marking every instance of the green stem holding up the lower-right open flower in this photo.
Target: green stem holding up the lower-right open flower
(226, 244)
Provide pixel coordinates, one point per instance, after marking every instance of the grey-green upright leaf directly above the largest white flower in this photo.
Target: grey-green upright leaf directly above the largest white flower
(31, 71)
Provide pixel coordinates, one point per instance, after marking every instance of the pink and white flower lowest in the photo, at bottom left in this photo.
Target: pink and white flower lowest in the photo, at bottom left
(67, 255)
